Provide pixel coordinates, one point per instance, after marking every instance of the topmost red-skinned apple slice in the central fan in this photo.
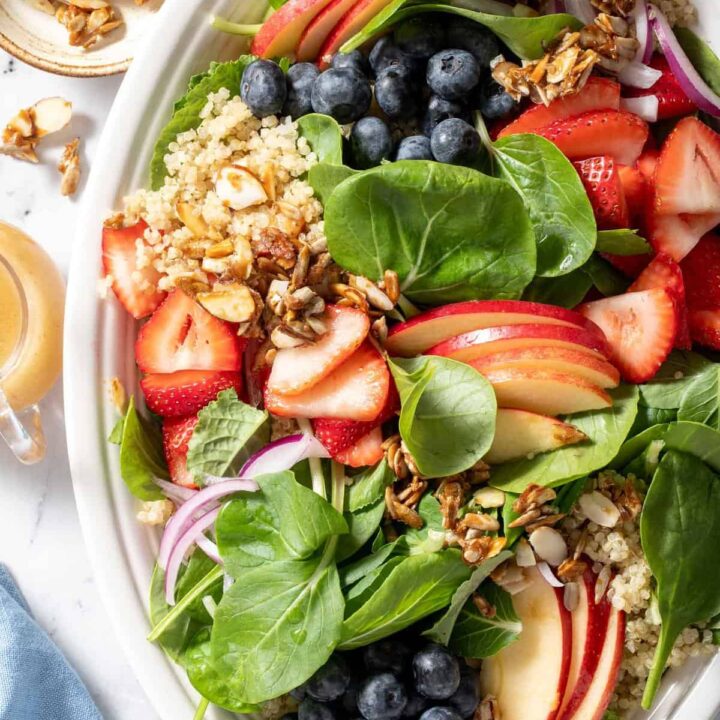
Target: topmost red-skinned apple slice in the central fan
(432, 327)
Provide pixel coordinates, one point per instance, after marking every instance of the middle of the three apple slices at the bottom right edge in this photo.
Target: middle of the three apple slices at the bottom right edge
(589, 624)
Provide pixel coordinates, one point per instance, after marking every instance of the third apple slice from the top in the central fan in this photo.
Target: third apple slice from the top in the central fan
(555, 359)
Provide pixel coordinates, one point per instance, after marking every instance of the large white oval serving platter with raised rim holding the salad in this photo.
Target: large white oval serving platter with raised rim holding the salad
(99, 340)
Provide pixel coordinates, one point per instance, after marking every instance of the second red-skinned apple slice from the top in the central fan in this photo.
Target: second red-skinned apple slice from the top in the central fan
(481, 343)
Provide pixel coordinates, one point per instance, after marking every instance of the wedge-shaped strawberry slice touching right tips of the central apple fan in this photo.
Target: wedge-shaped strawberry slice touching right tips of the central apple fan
(640, 327)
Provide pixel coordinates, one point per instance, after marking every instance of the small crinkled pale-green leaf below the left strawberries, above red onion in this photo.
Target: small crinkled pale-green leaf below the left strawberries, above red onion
(227, 433)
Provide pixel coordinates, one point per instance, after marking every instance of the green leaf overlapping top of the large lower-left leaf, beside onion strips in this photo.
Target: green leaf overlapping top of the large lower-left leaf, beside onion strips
(284, 521)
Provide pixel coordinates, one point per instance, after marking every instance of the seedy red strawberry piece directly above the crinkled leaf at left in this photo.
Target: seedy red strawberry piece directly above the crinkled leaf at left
(185, 392)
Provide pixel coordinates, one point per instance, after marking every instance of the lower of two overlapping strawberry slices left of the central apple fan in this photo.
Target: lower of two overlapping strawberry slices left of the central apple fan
(357, 390)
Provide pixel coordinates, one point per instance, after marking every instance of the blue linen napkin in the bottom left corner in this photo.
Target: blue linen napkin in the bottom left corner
(36, 682)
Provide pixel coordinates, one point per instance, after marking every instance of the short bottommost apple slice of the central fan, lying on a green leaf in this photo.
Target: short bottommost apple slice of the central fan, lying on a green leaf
(519, 434)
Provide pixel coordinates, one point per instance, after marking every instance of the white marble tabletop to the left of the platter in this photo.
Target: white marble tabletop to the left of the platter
(40, 538)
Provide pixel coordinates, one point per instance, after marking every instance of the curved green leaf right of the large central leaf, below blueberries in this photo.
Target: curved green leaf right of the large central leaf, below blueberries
(559, 208)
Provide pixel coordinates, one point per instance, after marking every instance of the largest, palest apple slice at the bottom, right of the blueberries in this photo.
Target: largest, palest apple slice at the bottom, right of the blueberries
(529, 677)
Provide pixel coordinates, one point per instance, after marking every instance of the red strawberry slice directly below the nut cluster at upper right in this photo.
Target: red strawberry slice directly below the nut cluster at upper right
(598, 94)
